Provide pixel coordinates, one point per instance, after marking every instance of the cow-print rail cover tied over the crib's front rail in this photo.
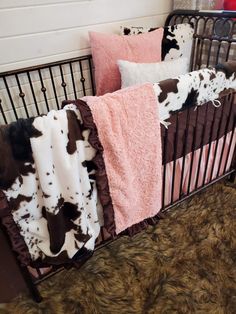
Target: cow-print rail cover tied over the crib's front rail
(192, 89)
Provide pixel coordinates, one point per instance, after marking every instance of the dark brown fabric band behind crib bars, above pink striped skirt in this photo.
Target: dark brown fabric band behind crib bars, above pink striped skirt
(191, 129)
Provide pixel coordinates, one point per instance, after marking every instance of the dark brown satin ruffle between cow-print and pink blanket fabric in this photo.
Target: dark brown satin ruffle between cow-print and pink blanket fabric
(101, 176)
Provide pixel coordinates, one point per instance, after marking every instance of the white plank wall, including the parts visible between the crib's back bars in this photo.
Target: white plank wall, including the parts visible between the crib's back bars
(34, 32)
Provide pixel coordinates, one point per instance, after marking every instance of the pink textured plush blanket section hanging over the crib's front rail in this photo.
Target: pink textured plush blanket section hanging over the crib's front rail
(129, 130)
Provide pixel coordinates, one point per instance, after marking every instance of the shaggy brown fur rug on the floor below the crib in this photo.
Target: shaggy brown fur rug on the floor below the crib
(185, 264)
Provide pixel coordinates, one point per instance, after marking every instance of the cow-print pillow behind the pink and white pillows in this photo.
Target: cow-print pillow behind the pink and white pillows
(176, 43)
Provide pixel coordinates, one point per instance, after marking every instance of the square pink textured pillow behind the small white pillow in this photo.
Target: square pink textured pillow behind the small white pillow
(108, 48)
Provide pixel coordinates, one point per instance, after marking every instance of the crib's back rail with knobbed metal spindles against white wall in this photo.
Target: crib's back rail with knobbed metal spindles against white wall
(36, 90)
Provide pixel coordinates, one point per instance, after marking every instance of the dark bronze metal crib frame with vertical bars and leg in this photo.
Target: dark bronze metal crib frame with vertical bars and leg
(177, 16)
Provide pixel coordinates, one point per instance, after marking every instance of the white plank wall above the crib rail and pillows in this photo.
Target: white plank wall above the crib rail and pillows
(38, 31)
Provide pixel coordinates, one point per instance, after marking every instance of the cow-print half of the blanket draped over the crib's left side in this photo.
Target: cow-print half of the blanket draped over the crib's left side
(49, 181)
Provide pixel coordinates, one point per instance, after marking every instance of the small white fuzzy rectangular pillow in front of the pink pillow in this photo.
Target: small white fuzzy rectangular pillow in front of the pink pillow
(133, 73)
